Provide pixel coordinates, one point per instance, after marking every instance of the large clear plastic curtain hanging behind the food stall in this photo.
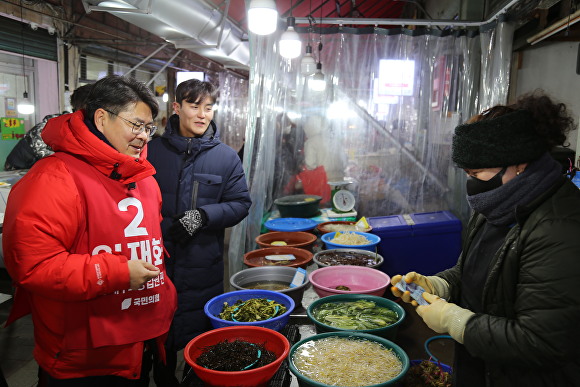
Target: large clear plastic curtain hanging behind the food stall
(384, 121)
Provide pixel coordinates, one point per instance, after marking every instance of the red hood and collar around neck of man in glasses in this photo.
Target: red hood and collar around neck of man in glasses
(68, 133)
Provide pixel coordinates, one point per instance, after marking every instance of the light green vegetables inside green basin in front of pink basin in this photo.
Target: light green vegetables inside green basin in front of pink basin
(356, 315)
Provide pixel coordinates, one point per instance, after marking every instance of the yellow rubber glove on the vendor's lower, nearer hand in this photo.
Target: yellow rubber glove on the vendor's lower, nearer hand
(443, 316)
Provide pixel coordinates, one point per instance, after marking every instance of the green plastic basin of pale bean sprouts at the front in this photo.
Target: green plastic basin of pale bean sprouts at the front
(344, 362)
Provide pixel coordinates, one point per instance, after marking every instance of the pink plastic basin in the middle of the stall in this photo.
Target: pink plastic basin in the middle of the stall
(360, 280)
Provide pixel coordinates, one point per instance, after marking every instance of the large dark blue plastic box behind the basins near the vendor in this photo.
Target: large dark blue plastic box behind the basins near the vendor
(426, 242)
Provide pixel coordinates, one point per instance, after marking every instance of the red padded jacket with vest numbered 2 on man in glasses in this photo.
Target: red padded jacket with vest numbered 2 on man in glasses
(69, 230)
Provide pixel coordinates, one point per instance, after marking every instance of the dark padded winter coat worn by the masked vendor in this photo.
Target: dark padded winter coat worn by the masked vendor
(529, 333)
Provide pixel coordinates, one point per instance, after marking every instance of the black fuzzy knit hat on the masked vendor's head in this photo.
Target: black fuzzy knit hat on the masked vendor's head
(506, 140)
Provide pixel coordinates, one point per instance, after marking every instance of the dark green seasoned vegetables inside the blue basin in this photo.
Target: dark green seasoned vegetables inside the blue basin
(254, 309)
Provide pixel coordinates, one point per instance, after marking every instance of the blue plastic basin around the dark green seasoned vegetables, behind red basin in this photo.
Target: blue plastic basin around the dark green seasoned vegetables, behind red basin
(214, 307)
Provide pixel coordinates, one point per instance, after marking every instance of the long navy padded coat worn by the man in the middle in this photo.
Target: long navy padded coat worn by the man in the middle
(197, 173)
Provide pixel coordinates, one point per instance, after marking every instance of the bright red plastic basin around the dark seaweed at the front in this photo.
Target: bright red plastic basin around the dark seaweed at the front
(271, 340)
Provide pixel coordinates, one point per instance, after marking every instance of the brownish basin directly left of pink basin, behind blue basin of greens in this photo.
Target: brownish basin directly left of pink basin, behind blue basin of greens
(268, 275)
